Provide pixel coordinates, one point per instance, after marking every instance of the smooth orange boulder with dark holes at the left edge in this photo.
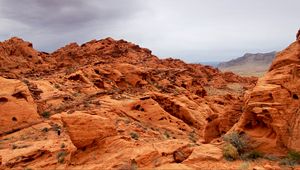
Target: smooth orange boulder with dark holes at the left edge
(17, 107)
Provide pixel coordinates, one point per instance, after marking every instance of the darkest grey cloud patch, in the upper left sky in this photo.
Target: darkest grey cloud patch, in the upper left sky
(59, 15)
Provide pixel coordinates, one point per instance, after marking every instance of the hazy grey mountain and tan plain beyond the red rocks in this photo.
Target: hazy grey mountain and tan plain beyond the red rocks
(249, 64)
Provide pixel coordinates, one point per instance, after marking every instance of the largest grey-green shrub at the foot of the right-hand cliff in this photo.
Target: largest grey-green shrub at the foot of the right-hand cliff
(240, 142)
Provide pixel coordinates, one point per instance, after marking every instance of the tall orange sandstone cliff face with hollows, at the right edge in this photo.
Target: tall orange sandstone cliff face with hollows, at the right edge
(272, 109)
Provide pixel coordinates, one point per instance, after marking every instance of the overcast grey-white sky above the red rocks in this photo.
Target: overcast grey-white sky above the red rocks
(193, 30)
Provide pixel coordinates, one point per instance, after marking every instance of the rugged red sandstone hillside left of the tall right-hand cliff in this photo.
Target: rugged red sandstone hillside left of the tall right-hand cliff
(121, 107)
